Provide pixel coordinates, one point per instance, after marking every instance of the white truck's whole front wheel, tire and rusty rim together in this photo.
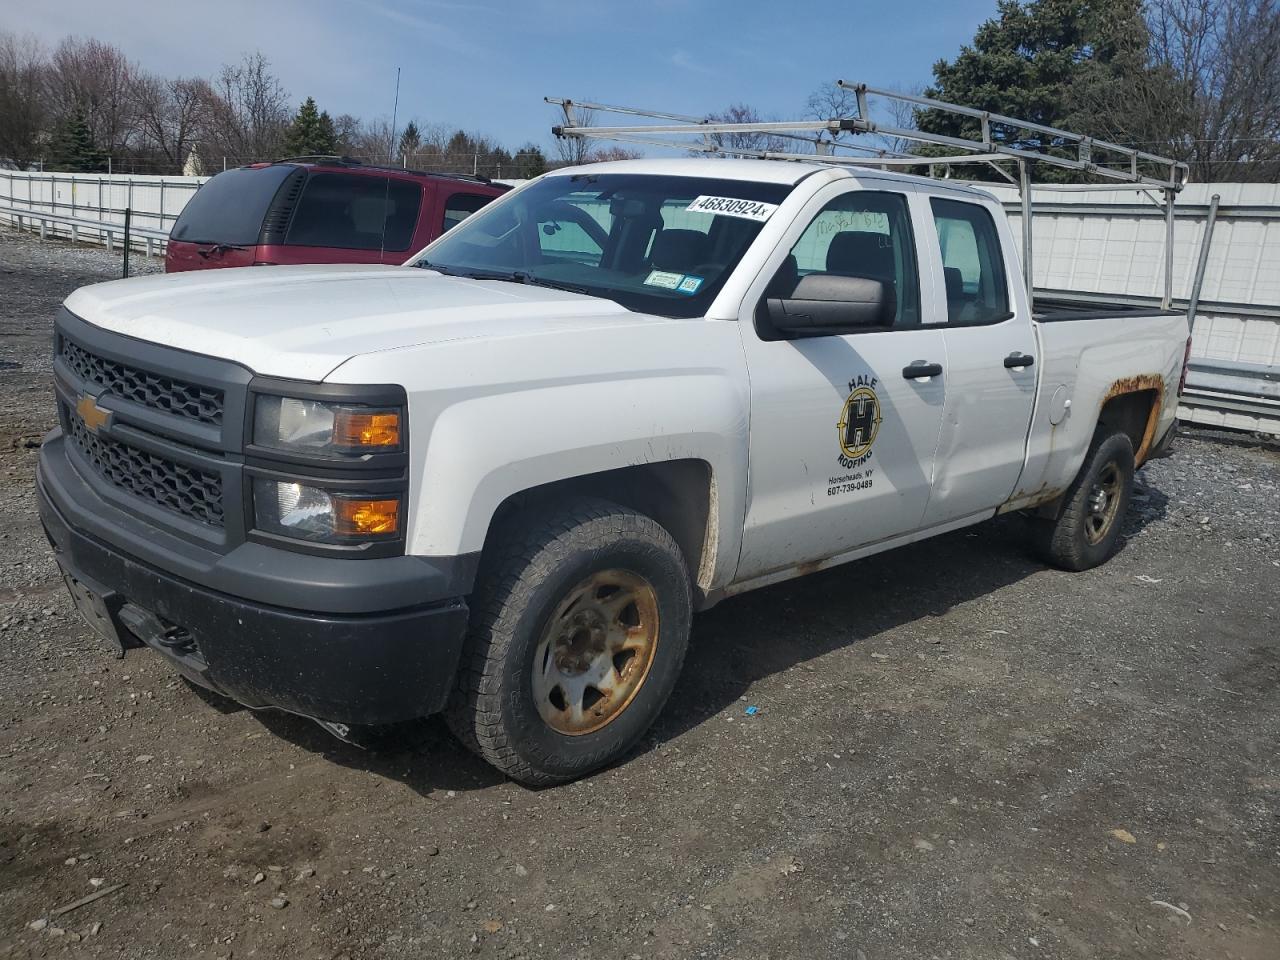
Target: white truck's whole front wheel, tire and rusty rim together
(580, 621)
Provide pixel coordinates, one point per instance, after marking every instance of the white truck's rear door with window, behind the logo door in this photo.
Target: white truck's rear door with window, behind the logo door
(991, 373)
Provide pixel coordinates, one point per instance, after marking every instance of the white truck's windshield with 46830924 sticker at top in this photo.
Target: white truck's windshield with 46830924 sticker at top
(659, 245)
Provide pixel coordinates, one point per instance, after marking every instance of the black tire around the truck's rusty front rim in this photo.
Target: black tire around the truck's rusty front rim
(519, 604)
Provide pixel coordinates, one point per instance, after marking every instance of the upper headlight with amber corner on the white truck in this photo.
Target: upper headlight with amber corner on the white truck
(287, 423)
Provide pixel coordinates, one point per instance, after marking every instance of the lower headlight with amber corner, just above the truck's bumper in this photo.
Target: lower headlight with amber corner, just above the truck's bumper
(309, 513)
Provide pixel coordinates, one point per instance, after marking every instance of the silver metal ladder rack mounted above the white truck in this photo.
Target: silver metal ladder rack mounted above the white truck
(1126, 168)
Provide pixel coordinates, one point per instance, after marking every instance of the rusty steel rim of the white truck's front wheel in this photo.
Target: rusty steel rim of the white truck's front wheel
(596, 652)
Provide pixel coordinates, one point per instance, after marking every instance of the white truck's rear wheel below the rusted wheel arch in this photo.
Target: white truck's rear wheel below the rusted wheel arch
(1085, 534)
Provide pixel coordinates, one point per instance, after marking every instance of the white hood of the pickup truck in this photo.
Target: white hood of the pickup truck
(304, 322)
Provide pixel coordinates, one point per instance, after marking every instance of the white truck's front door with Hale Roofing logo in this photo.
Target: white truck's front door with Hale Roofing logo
(844, 428)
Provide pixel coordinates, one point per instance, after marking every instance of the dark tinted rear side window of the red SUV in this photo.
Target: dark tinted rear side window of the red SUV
(356, 213)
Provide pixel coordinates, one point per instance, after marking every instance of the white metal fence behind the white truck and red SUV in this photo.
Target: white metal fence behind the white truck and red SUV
(1086, 244)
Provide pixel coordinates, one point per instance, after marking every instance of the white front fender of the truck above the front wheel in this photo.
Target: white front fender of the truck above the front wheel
(493, 417)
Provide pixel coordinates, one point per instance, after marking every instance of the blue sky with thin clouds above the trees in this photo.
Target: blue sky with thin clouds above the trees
(487, 66)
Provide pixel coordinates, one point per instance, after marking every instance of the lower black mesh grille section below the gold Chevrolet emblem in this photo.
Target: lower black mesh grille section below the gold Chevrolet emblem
(184, 490)
